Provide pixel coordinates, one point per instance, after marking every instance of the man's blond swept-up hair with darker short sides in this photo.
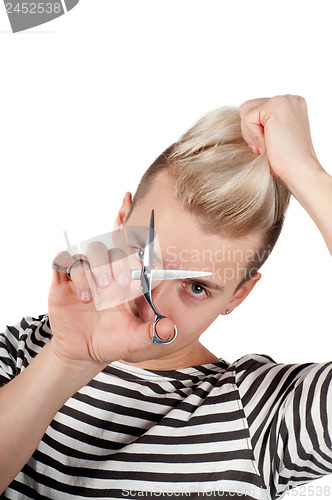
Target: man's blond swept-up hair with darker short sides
(218, 179)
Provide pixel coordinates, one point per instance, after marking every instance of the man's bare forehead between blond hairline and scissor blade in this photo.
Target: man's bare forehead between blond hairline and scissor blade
(181, 241)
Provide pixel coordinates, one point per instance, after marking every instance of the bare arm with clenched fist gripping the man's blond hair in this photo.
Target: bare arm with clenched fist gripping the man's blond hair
(280, 127)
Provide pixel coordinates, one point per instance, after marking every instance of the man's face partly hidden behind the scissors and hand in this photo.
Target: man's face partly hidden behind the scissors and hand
(183, 245)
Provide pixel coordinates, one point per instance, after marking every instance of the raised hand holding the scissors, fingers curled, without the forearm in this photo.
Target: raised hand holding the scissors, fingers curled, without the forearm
(91, 316)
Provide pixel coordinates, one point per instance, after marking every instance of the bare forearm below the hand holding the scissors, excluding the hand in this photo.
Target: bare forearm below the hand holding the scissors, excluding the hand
(28, 404)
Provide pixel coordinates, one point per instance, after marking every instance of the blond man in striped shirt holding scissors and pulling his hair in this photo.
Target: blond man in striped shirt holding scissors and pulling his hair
(101, 411)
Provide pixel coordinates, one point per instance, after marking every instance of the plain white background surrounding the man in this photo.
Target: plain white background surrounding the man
(89, 100)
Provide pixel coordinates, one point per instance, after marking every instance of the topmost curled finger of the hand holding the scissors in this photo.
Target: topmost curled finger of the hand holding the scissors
(98, 257)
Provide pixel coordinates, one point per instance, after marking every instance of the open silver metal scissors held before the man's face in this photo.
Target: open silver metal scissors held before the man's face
(146, 275)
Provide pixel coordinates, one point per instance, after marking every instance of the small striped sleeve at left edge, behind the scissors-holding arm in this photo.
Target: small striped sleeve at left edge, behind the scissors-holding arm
(20, 343)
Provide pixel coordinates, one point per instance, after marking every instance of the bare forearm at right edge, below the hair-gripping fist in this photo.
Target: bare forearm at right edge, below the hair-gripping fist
(313, 189)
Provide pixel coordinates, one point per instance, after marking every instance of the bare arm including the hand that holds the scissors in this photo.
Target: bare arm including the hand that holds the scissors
(84, 341)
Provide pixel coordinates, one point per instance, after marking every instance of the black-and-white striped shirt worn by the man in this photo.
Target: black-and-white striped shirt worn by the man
(251, 429)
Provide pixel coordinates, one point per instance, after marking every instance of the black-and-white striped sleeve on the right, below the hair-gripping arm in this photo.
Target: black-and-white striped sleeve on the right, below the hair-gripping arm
(289, 414)
